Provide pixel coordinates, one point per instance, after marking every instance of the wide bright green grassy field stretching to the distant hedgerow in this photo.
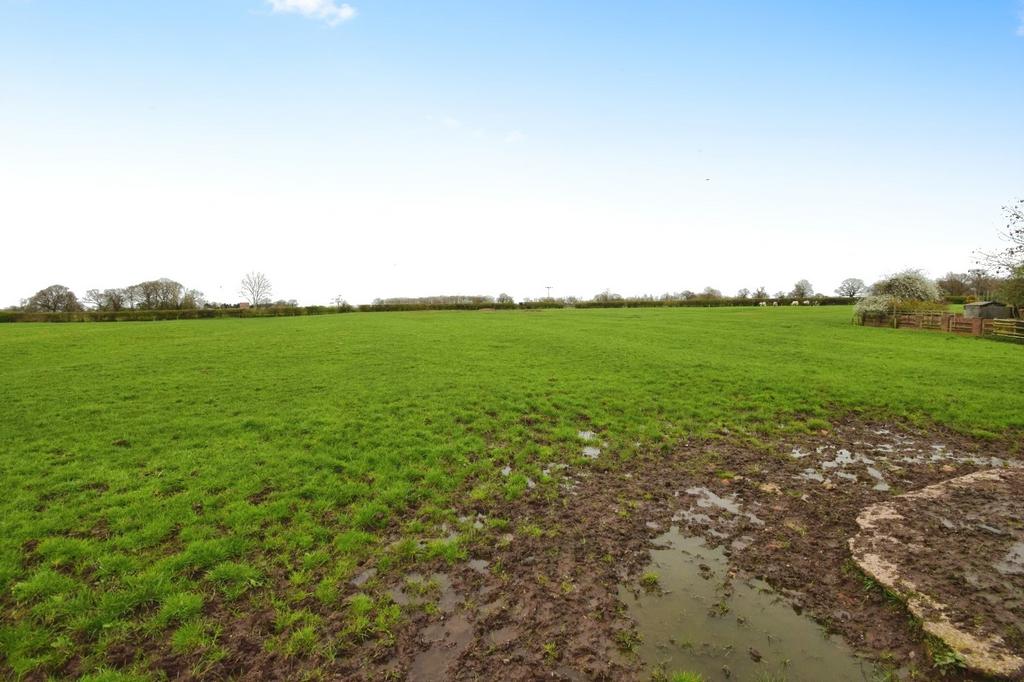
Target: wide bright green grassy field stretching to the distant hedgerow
(163, 479)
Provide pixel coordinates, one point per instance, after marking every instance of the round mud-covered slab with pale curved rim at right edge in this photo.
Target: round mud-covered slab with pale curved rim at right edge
(955, 551)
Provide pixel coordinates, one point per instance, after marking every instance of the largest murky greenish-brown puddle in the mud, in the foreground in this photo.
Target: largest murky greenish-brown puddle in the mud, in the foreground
(704, 620)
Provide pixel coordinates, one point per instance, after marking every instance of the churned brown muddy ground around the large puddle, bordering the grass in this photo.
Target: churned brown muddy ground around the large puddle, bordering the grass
(540, 599)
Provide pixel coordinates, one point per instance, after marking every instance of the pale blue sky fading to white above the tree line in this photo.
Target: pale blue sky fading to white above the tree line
(414, 149)
